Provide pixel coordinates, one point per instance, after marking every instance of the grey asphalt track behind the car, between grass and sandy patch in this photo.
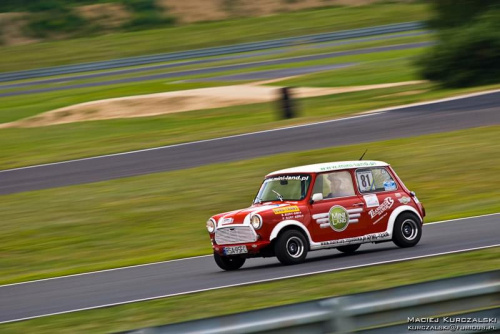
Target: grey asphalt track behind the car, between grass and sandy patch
(445, 116)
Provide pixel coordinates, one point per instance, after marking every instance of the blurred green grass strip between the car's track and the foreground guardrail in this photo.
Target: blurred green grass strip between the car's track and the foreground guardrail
(241, 299)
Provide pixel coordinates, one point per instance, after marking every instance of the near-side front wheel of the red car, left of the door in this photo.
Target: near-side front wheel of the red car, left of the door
(291, 247)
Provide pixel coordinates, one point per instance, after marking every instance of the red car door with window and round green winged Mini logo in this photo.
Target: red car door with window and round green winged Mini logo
(338, 214)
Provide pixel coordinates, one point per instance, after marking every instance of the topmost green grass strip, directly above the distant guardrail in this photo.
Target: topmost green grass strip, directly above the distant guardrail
(206, 35)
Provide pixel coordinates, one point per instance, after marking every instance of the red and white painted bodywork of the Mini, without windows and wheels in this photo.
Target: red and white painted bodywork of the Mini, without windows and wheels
(371, 216)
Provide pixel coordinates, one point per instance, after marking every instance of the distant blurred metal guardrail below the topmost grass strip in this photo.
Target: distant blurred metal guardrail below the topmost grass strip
(206, 52)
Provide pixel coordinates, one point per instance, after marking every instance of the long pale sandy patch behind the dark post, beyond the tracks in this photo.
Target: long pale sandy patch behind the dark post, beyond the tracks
(178, 101)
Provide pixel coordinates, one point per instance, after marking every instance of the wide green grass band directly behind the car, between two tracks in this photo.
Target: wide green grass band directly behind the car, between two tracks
(161, 216)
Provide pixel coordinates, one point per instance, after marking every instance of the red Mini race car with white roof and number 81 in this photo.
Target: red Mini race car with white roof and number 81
(330, 205)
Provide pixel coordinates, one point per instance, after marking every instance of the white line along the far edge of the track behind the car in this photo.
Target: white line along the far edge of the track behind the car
(365, 114)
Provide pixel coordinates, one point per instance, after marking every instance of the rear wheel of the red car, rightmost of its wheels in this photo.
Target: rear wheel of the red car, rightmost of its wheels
(407, 230)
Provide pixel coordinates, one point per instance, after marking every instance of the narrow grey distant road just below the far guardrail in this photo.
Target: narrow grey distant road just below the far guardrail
(217, 69)
